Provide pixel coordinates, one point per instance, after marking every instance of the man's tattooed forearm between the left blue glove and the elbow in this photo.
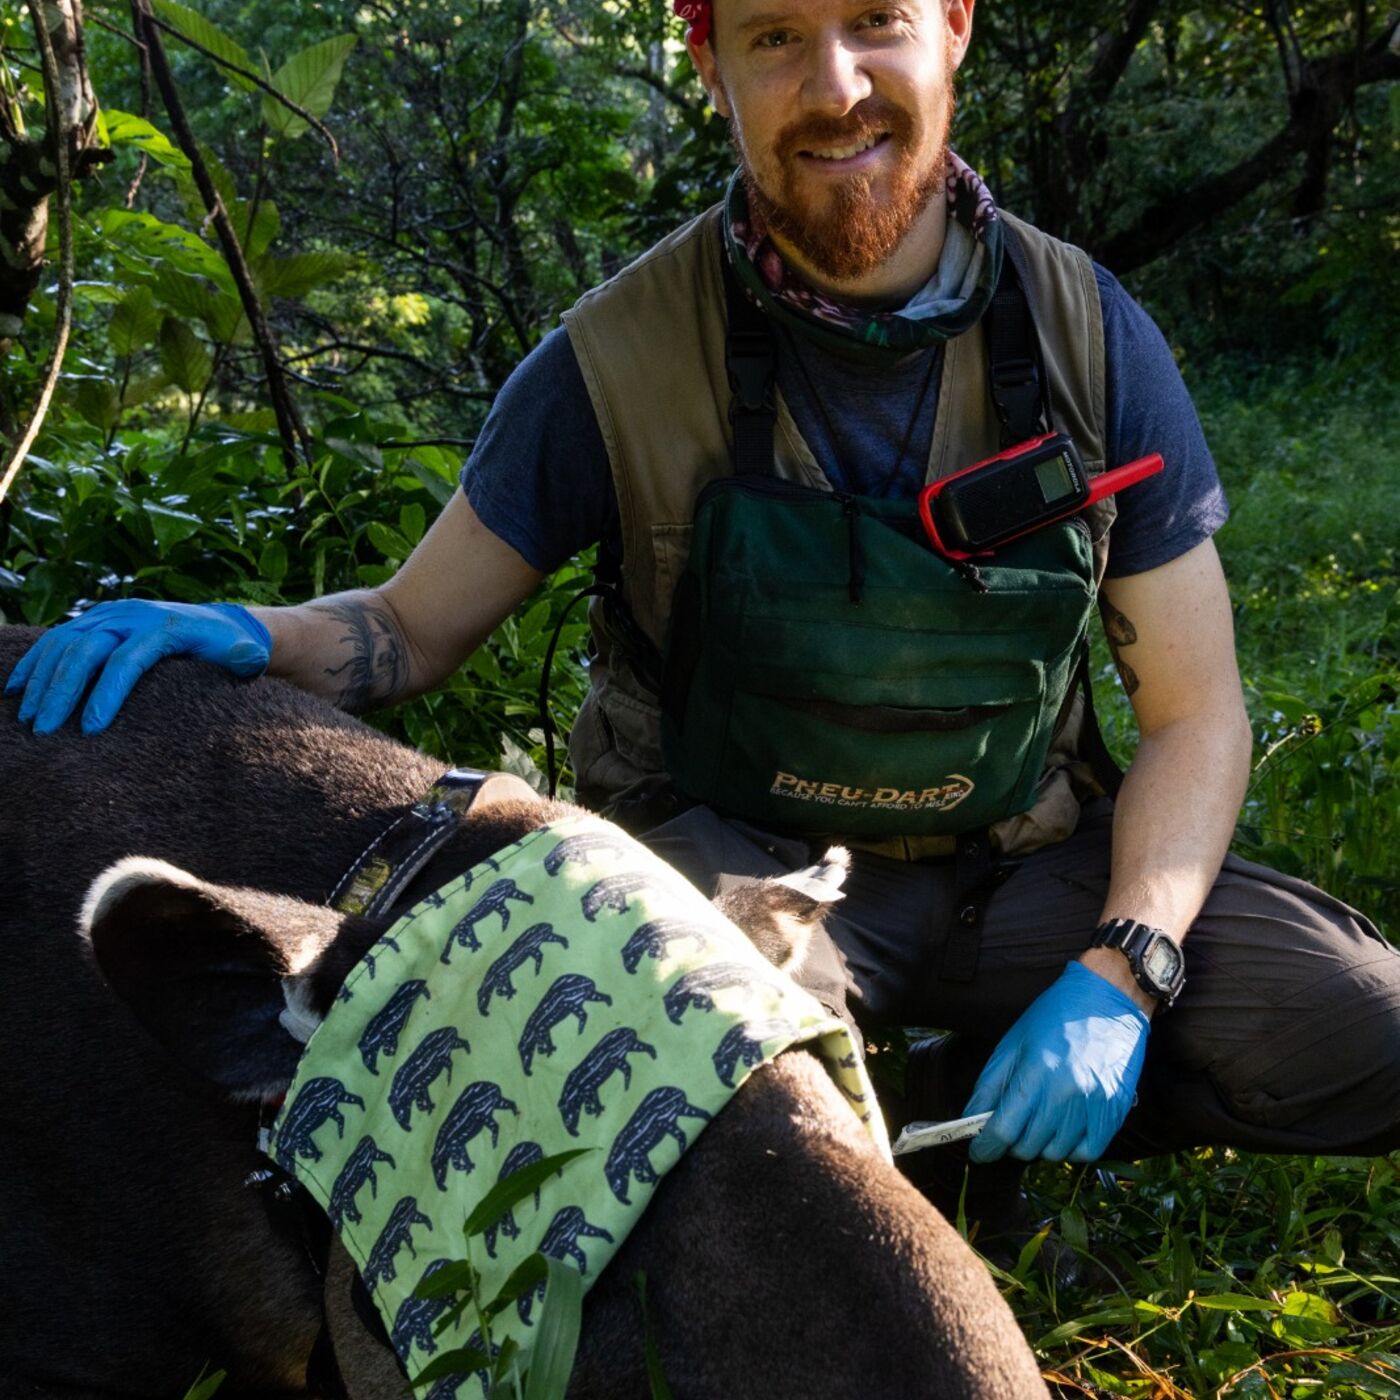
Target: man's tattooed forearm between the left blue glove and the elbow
(348, 649)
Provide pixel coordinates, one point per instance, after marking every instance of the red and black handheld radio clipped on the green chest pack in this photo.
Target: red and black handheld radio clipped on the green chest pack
(1017, 492)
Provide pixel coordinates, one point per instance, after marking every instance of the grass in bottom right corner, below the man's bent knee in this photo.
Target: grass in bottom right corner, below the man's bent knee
(1219, 1275)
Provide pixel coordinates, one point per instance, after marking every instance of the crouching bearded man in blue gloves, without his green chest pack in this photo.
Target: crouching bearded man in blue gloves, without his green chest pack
(874, 253)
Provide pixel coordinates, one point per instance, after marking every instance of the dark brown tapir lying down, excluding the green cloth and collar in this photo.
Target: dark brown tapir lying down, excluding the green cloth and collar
(142, 1031)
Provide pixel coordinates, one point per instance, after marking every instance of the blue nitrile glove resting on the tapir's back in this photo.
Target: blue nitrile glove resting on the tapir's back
(124, 640)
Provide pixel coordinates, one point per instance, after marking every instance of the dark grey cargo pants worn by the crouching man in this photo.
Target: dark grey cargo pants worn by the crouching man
(1286, 1038)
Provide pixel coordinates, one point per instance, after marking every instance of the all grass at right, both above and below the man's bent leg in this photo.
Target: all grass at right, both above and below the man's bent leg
(1220, 1273)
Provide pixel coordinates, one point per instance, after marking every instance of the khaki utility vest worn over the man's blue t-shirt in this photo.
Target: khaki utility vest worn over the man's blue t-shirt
(650, 345)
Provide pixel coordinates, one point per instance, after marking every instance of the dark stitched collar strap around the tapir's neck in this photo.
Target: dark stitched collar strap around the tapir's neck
(397, 855)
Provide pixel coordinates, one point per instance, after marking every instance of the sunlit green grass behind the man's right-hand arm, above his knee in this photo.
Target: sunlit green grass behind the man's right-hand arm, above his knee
(1312, 555)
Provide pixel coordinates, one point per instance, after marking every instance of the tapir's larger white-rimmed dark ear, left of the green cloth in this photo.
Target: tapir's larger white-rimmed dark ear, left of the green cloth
(222, 976)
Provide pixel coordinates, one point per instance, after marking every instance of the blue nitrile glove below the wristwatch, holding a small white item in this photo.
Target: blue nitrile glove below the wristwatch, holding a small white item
(1063, 1079)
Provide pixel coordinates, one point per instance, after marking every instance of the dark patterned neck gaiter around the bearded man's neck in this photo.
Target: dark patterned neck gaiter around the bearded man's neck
(953, 303)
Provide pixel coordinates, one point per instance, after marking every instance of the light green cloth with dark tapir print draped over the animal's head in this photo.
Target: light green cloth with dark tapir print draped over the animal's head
(572, 992)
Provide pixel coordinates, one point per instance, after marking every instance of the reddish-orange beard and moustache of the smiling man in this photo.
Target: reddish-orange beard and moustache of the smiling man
(852, 232)
